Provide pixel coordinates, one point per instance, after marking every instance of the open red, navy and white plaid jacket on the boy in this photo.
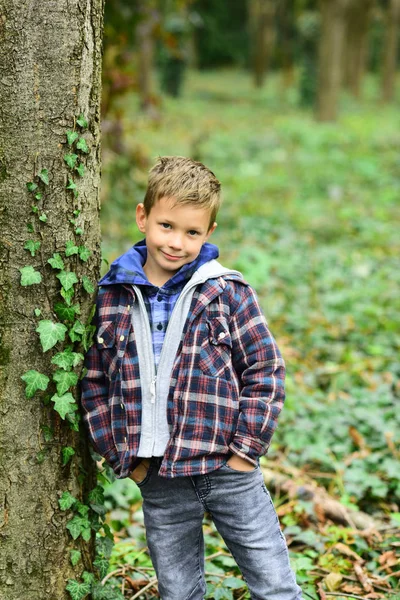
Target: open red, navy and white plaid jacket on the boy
(227, 383)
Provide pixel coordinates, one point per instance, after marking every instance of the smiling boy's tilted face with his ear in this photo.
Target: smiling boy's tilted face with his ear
(175, 234)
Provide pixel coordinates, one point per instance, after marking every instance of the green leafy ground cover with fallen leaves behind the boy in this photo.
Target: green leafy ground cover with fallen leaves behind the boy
(310, 217)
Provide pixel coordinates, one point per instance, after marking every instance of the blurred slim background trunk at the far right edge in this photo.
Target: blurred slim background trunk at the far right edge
(391, 50)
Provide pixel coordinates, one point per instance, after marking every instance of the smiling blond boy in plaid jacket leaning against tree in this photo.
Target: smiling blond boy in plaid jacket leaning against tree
(183, 390)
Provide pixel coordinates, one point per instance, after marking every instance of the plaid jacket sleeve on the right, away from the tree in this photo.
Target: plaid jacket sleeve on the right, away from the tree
(261, 371)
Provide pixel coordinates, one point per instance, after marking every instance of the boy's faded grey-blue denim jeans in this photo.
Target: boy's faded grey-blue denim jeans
(243, 513)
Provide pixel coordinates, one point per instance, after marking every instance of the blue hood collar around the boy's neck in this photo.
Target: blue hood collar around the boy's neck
(128, 268)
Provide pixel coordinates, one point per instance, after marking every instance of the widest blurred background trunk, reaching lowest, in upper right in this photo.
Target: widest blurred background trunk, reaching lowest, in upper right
(333, 13)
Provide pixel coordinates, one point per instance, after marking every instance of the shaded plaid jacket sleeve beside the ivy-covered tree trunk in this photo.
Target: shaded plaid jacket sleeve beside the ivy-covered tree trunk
(96, 409)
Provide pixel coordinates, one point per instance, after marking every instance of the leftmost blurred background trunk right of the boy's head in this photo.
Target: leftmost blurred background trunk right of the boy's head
(261, 14)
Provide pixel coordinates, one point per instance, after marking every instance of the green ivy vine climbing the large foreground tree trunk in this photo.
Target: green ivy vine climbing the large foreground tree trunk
(65, 333)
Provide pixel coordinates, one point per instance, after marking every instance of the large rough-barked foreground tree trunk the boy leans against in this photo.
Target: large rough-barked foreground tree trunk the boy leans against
(50, 66)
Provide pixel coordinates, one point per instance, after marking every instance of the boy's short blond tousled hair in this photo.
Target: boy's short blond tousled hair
(186, 181)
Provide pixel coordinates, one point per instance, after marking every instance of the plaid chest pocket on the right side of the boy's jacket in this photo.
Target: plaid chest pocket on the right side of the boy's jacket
(215, 357)
